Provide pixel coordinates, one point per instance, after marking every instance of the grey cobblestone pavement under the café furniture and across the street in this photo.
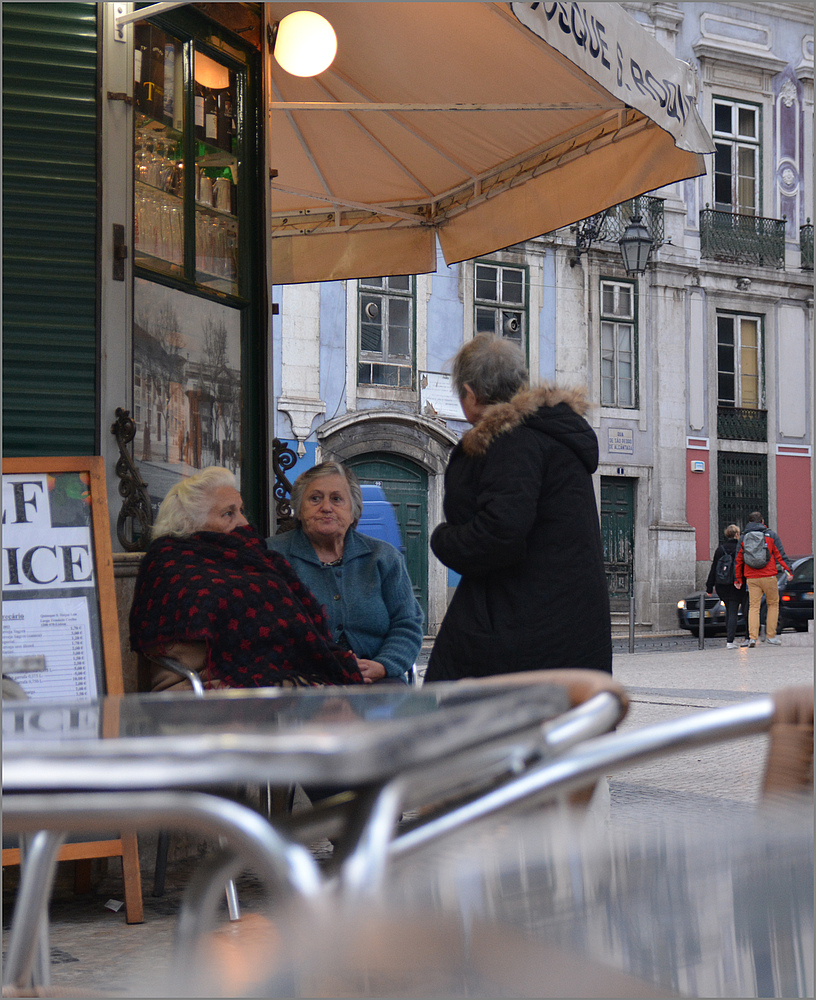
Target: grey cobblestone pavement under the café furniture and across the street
(96, 953)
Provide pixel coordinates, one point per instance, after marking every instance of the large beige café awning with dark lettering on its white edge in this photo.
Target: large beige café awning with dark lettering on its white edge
(482, 124)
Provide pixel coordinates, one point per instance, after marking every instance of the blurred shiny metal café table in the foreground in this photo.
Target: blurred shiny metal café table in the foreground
(150, 762)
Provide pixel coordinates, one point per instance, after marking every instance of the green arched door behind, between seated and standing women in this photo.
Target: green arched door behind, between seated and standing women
(406, 486)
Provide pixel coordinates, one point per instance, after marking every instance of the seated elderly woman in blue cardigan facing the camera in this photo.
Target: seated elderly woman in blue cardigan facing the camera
(361, 582)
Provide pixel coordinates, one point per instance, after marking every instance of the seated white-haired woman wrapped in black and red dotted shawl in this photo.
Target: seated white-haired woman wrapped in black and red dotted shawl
(210, 594)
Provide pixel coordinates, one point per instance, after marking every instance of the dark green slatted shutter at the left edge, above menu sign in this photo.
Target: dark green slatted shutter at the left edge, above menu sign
(50, 95)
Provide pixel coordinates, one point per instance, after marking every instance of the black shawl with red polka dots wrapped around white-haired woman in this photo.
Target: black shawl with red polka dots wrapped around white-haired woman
(262, 626)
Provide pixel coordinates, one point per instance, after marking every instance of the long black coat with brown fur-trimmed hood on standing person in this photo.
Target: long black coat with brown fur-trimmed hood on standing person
(522, 529)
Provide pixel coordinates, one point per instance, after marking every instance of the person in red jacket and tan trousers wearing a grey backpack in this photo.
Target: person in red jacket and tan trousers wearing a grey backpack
(759, 559)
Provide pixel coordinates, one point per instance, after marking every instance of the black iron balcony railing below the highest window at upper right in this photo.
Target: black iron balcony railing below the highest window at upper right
(742, 239)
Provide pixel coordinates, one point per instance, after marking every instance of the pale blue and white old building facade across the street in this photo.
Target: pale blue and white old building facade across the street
(699, 370)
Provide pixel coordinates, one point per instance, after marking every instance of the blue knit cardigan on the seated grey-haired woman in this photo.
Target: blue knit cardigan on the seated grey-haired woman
(368, 597)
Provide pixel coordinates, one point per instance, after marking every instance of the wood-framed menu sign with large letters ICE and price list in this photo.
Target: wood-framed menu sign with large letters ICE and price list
(59, 603)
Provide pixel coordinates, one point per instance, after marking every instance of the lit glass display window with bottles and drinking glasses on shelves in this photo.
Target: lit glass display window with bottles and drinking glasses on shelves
(186, 161)
